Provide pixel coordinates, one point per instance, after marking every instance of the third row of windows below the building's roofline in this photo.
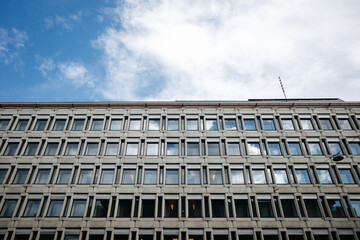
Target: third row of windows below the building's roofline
(174, 174)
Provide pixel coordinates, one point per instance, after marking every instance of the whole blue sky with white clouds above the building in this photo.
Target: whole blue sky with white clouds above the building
(125, 50)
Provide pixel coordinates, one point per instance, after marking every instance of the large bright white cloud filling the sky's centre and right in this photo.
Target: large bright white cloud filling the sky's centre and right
(213, 49)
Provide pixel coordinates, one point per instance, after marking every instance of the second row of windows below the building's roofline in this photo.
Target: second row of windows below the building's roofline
(180, 147)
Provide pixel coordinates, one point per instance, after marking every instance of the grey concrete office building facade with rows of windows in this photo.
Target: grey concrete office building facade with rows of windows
(257, 169)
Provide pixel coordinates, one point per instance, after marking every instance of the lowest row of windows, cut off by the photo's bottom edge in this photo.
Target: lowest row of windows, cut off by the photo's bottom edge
(175, 234)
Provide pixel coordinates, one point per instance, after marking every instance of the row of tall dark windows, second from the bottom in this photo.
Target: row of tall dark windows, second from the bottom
(156, 207)
